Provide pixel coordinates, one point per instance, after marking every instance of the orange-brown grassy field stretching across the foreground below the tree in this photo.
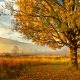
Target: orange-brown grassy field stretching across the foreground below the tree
(31, 68)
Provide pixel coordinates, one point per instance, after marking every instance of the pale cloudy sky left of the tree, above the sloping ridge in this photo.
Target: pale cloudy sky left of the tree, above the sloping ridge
(5, 25)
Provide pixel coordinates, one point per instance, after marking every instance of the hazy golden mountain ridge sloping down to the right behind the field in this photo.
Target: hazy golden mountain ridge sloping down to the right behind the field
(7, 45)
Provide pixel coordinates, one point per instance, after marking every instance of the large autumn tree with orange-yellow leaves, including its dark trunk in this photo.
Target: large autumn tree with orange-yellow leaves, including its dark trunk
(55, 23)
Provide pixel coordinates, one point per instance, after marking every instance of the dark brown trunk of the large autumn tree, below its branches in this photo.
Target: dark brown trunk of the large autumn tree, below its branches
(73, 56)
